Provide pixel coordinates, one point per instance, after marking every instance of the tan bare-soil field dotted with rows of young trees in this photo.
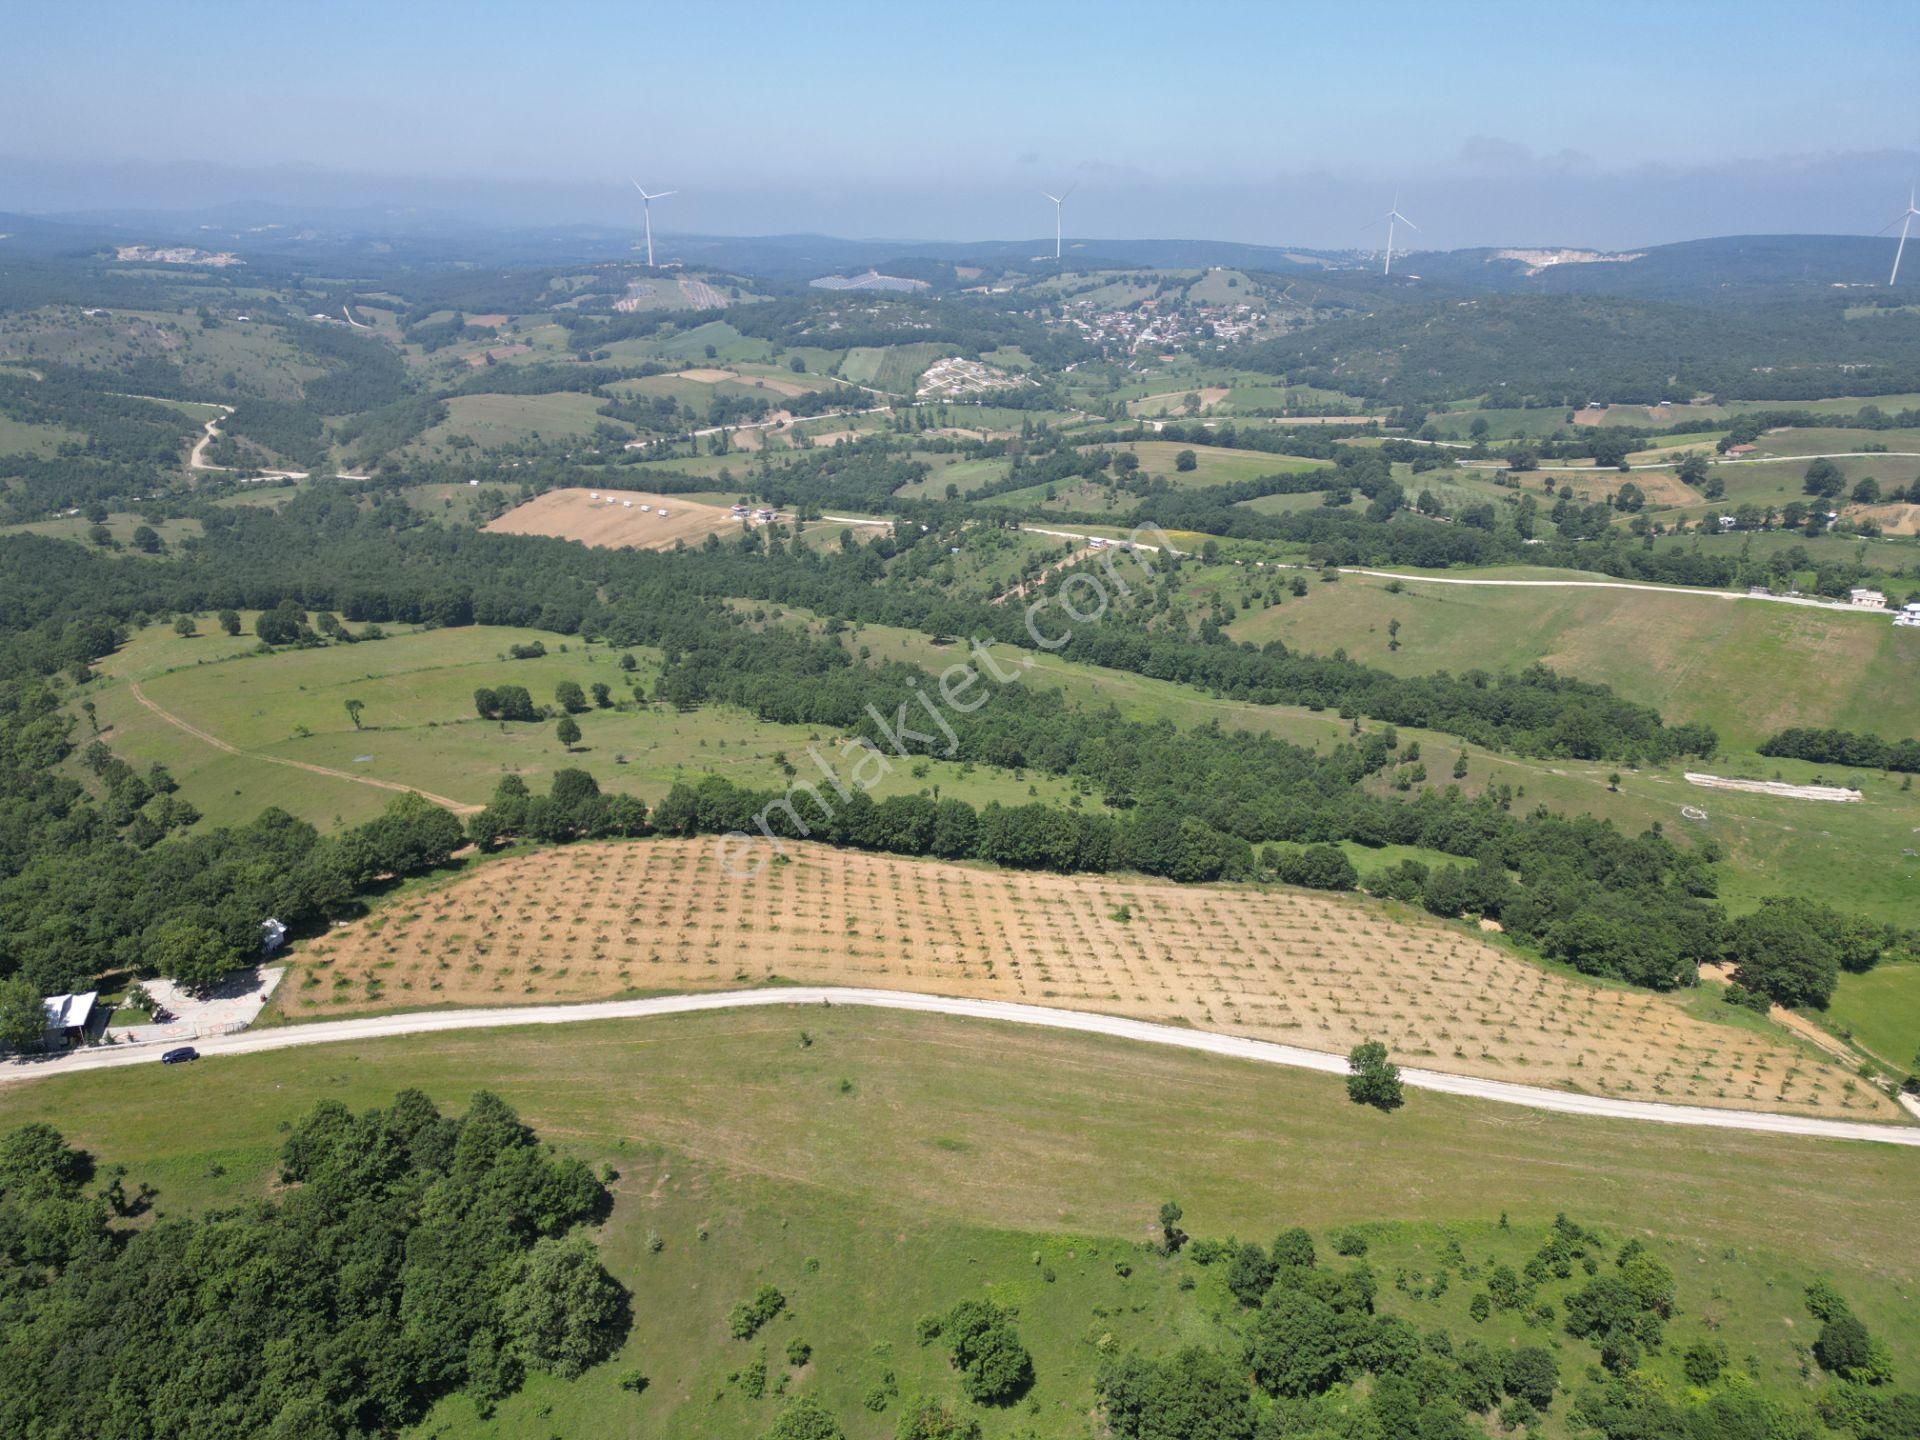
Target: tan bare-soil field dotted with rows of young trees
(1314, 971)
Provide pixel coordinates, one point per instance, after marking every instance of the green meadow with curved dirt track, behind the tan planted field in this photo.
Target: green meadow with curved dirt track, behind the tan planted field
(421, 727)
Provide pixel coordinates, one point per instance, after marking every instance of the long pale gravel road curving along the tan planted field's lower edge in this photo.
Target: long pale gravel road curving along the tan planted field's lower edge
(1143, 1032)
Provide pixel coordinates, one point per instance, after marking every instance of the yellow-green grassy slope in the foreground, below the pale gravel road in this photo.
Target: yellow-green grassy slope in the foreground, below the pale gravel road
(903, 1163)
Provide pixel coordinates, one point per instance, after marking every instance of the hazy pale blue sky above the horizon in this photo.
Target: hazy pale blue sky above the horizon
(1527, 124)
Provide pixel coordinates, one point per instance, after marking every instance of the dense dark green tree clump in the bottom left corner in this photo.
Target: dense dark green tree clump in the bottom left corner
(404, 1257)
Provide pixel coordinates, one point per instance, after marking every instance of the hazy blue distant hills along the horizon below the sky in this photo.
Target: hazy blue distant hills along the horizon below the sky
(281, 239)
